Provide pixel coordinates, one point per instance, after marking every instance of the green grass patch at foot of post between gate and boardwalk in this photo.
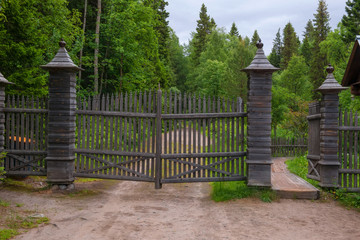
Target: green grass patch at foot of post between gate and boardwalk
(224, 191)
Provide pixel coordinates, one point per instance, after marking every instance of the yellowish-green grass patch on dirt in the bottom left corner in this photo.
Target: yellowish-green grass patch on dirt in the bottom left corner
(15, 220)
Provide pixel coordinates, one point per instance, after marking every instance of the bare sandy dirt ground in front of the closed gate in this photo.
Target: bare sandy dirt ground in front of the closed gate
(135, 210)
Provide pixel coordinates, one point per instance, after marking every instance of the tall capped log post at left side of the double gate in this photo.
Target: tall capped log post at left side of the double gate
(61, 118)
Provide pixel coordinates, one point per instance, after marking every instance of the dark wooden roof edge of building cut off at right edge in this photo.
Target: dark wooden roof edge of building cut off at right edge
(352, 73)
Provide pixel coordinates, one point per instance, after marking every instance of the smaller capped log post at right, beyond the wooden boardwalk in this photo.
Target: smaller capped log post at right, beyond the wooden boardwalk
(329, 123)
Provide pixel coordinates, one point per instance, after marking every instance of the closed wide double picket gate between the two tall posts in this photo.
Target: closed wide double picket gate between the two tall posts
(161, 138)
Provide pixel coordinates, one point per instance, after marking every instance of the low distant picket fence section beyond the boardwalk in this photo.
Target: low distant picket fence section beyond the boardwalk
(288, 147)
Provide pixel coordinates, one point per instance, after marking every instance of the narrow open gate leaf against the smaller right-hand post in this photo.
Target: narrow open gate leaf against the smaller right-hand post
(314, 141)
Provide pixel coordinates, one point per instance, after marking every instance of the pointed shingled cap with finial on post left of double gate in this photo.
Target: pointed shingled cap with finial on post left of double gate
(62, 60)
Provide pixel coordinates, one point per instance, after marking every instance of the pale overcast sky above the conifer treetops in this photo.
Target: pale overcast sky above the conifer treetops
(266, 16)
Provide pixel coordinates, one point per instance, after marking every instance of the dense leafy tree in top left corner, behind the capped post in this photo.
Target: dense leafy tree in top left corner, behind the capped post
(29, 34)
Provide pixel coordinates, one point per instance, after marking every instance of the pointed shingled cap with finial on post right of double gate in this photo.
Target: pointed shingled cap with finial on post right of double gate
(260, 62)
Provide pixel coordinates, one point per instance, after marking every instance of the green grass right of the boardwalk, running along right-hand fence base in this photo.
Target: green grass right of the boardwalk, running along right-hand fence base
(299, 166)
